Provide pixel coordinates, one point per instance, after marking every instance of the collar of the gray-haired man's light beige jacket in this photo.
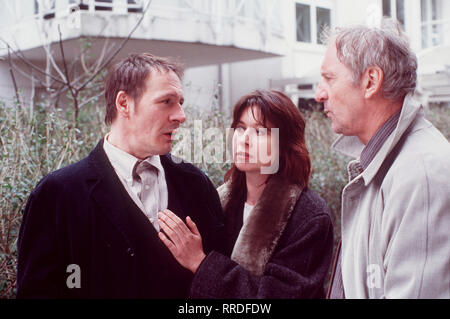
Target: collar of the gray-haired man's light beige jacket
(352, 146)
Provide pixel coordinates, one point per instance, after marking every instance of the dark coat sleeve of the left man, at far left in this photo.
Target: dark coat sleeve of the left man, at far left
(40, 273)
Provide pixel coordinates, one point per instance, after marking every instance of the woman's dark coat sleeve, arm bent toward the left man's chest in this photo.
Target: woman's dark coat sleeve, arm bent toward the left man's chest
(296, 269)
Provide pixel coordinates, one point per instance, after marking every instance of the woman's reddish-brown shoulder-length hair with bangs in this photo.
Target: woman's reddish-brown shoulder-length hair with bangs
(277, 109)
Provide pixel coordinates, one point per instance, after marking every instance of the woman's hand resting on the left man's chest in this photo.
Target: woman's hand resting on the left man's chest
(184, 243)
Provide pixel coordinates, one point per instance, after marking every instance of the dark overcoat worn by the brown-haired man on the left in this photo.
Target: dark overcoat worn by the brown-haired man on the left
(82, 215)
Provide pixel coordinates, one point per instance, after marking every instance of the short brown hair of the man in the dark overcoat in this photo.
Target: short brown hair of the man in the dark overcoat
(130, 74)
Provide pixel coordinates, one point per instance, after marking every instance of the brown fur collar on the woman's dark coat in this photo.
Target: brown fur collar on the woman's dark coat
(263, 228)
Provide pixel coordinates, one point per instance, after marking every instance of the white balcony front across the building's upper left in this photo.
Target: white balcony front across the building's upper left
(218, 22)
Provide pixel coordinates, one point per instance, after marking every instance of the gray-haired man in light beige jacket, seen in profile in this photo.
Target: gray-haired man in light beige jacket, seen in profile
(396, 206)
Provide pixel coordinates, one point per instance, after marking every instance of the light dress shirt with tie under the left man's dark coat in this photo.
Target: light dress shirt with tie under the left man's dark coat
(144, 180)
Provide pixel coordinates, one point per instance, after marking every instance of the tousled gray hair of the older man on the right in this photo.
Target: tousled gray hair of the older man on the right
(361, 47)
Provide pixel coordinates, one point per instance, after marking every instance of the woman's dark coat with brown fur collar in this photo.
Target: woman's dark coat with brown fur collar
(283, 250)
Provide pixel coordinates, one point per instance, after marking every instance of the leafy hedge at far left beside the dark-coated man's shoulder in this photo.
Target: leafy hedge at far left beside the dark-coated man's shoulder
(34, 144)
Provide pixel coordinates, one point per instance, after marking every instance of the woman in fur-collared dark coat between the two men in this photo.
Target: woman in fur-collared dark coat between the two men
(279, 232)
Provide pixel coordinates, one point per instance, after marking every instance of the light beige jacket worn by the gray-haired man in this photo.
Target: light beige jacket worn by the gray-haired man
(396, 214)
